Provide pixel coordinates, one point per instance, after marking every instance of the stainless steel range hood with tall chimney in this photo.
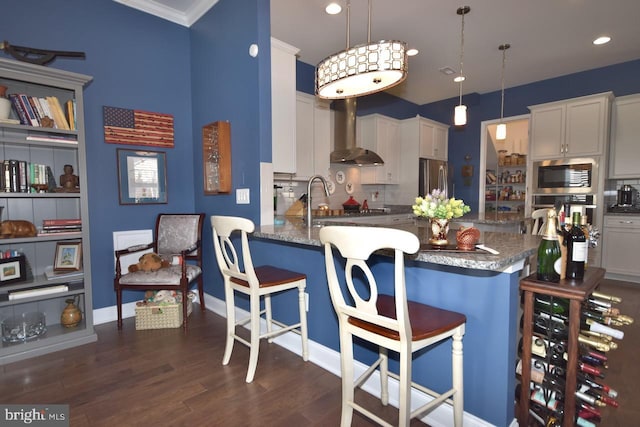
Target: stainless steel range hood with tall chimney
(345, 151)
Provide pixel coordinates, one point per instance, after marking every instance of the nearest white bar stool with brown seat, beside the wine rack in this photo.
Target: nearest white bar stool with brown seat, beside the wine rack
(389, 321)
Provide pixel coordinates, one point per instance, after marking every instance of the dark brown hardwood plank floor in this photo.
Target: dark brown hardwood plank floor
(166, 378)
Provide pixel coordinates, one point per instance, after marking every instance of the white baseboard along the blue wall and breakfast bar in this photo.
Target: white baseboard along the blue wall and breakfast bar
(327, 359)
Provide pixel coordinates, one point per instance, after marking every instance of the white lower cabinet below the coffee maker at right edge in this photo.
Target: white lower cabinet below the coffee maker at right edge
(621, 246)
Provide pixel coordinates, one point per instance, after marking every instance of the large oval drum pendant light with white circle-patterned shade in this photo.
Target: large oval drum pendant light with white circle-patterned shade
(363, 69)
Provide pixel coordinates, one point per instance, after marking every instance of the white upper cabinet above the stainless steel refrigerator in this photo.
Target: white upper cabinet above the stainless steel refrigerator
(432, 137)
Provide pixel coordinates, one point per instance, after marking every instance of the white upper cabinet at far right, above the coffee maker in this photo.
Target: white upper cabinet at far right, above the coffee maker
(624, 148)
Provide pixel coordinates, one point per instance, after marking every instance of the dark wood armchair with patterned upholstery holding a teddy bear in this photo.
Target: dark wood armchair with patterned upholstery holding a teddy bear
(177, 237)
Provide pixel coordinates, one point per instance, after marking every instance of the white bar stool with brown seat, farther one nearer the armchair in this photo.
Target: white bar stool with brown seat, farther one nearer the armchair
(259, 282)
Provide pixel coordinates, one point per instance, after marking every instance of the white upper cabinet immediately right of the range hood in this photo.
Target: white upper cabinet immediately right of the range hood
(380, 134)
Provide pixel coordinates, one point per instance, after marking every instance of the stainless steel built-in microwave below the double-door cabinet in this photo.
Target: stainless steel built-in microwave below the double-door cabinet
(565, 176)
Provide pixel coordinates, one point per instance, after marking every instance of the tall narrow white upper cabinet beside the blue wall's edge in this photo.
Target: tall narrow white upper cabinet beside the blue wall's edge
(283, 106)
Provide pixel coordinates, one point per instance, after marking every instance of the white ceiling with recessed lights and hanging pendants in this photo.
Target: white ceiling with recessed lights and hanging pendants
(548, 38)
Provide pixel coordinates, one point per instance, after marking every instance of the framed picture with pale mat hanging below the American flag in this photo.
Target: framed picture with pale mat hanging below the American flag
(142, 177)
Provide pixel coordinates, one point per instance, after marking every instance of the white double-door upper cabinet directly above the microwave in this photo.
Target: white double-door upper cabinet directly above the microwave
(570, 128)
